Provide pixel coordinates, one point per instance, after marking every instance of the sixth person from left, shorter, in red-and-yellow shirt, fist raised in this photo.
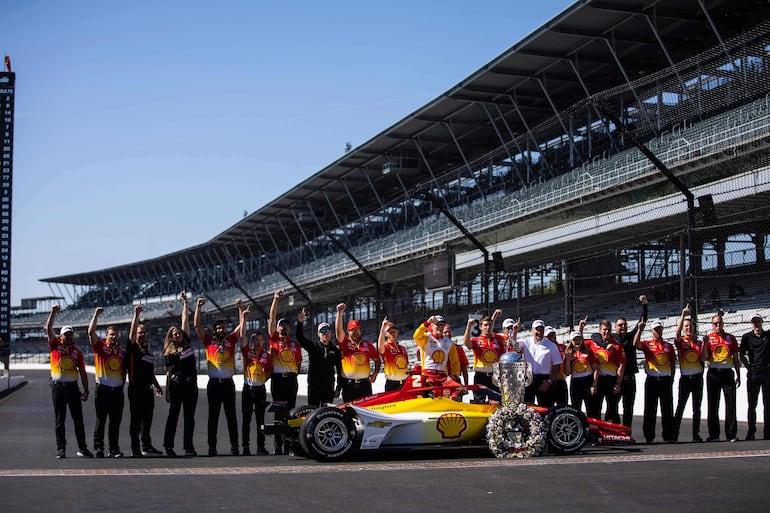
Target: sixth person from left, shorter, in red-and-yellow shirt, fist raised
(257, 368)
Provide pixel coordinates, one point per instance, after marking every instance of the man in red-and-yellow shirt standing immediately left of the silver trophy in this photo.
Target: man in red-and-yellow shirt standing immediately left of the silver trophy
(487, 349)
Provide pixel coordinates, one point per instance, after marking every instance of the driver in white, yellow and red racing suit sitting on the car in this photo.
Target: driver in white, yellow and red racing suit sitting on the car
(438, 354)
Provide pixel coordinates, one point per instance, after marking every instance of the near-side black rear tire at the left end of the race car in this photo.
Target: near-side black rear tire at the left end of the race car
(329, 433)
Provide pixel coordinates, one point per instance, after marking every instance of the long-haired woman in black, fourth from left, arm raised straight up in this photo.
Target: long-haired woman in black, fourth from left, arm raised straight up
(181, 383)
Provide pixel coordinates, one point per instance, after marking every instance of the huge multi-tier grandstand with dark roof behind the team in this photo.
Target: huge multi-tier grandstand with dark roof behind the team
(527, 155)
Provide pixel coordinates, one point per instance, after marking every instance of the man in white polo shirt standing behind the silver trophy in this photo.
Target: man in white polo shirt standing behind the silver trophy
(545, 360)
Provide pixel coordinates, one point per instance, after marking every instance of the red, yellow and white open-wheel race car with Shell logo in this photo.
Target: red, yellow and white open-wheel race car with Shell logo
(423, 417)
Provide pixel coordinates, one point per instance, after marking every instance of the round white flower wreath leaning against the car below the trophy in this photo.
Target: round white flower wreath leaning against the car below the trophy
(515, 431)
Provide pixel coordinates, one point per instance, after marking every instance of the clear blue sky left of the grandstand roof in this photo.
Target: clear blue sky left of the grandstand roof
(143, 128)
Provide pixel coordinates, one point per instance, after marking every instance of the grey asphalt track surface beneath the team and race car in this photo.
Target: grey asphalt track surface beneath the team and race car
(683, 477)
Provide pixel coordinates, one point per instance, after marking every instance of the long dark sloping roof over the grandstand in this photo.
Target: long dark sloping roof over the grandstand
(590, 47)
